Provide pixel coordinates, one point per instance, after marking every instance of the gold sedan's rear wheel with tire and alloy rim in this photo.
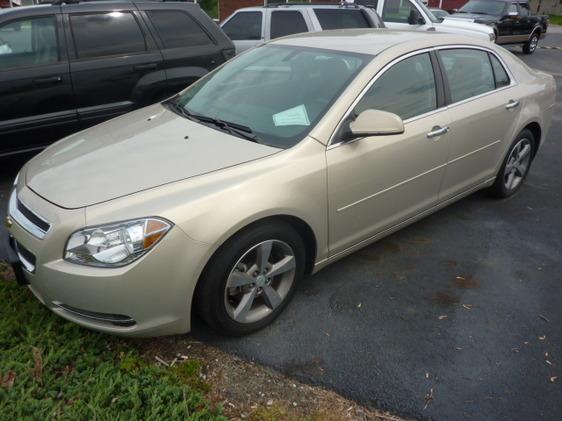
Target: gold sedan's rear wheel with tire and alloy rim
(515, 167)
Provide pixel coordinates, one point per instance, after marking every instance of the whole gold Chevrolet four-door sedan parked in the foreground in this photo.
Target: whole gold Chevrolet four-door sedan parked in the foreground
(285, 159)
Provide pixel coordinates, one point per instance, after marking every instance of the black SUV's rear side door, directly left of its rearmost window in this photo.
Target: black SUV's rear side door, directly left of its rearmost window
(115, 64)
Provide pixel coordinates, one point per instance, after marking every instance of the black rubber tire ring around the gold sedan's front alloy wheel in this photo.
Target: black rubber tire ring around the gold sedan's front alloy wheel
(210, 294)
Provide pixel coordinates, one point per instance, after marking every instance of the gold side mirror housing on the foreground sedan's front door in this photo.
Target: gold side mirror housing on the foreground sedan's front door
(375, 123)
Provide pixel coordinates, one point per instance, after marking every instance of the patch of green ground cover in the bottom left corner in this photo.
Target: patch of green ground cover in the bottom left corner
(53, 369)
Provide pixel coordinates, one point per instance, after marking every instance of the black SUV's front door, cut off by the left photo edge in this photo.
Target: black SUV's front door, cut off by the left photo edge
(37, 100)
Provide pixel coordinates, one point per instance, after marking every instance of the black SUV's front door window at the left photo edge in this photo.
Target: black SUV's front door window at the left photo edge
(29, 42)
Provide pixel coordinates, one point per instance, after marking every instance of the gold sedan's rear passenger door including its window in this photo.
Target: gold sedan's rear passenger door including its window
(483, 105)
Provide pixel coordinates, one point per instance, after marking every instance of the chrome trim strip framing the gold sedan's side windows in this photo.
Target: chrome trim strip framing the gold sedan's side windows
(512, 82)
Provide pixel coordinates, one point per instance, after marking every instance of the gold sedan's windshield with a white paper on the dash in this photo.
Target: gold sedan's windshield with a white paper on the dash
(277, 93)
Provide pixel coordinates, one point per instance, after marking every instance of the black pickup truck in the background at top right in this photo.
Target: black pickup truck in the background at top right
(513, 21)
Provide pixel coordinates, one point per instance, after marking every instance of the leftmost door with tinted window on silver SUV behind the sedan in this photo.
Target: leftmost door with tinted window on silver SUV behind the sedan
(245, 29)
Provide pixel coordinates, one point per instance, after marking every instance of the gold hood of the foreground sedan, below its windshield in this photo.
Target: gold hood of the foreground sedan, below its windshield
(140, 150)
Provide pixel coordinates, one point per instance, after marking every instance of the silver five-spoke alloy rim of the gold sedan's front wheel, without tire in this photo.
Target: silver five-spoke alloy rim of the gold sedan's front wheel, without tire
(260, 281)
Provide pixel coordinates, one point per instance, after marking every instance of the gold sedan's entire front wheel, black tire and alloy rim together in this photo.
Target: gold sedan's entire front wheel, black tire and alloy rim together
(235, 296)
